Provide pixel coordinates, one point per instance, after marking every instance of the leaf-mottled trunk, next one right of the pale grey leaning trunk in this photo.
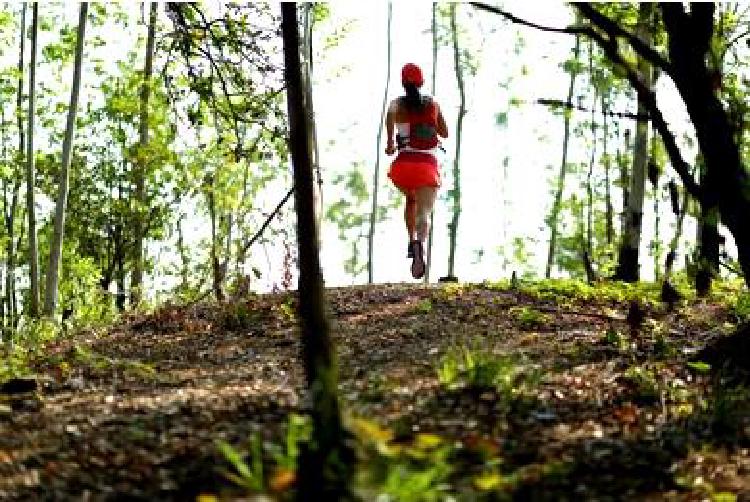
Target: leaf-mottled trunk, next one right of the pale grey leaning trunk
(136, 288)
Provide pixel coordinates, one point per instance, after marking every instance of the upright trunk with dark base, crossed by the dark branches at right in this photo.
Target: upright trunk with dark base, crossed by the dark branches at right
(627, 262)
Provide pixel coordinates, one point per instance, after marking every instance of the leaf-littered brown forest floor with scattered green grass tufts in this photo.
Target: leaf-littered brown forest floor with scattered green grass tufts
(472, 392)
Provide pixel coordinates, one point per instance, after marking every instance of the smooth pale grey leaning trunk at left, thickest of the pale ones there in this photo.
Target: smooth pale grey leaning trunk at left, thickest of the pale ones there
(55, 256)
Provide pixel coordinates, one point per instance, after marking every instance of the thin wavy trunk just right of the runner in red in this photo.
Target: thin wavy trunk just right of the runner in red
(453, 228)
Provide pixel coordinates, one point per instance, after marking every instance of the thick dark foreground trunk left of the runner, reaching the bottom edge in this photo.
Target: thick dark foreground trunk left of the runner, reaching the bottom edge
(325, 467)
